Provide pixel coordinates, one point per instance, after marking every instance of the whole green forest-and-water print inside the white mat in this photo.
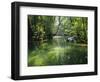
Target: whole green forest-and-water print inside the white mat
(42, 30)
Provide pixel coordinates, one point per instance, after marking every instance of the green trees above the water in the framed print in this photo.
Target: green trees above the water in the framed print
(44, 29)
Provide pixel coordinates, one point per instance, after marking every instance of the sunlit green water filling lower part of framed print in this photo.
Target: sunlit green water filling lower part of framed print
(55, 55)
